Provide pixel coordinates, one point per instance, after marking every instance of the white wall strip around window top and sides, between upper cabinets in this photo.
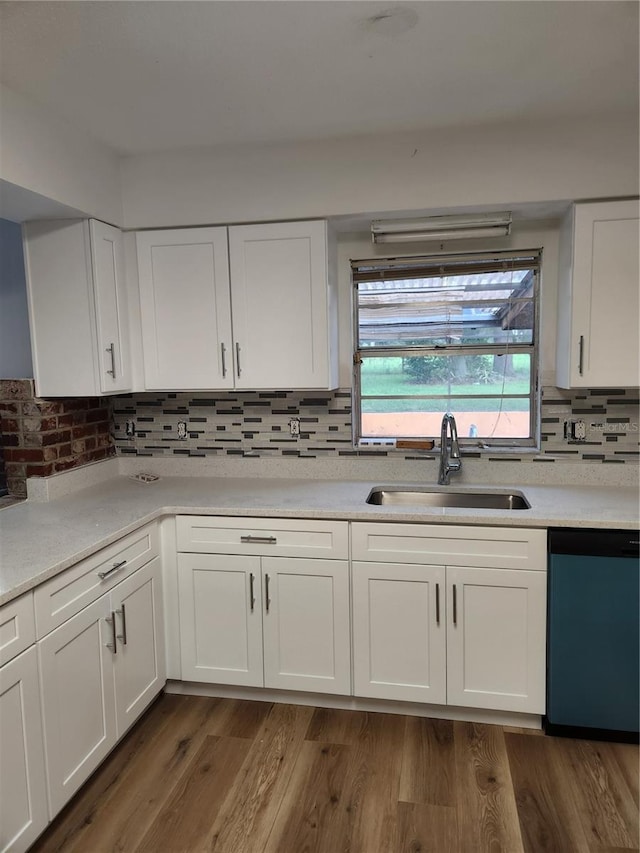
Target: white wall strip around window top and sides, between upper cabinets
(524, 235)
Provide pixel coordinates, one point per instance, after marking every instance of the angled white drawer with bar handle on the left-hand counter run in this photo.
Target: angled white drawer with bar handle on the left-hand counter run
(66, 594)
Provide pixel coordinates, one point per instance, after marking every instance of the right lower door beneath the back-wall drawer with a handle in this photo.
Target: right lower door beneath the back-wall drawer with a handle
(306, 624)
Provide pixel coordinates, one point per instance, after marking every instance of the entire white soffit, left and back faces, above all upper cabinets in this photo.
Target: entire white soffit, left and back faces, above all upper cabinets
(481, 166)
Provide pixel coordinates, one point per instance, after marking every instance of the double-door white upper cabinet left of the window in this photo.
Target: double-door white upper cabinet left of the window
(249, 307)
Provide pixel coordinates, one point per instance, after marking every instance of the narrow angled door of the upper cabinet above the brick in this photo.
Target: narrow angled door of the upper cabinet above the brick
(107, 262)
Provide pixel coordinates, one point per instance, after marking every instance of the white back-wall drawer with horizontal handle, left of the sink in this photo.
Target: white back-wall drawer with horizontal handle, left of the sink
(263, 536)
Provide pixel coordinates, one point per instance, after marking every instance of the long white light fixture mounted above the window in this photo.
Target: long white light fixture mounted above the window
(454, 227)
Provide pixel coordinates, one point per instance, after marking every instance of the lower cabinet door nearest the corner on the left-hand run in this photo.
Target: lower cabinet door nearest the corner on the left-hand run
(139, 659)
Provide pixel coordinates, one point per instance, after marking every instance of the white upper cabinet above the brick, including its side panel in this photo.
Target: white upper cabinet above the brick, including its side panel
(78, 312)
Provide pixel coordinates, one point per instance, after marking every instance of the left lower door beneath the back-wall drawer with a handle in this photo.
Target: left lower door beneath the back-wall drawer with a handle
(220, 608)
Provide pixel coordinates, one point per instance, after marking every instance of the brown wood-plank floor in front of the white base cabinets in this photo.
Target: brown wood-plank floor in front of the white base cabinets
(231, 776)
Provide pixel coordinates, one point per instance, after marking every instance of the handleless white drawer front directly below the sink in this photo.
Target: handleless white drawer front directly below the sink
(451, 545)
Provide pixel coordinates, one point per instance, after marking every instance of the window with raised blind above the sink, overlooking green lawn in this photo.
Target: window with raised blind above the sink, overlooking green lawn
(447, 333)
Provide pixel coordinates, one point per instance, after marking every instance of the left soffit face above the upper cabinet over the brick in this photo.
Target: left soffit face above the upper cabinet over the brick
(44, 155)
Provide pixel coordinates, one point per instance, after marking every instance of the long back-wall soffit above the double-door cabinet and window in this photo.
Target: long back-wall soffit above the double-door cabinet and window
(481, 166)
